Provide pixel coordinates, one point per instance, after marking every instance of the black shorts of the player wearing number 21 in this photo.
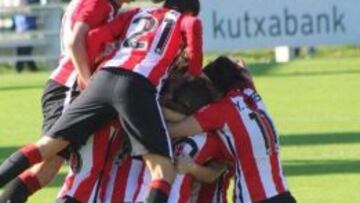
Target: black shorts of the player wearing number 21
(116, 92)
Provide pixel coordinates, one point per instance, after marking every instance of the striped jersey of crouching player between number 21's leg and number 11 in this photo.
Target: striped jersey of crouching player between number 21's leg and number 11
(202, 148)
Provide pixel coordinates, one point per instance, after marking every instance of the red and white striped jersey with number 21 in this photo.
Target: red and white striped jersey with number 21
(151, 41)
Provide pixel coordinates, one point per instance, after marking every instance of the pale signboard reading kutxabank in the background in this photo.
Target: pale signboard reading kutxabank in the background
(238, 24)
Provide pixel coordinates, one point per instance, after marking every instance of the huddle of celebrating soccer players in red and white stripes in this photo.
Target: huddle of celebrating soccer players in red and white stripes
(139, 120)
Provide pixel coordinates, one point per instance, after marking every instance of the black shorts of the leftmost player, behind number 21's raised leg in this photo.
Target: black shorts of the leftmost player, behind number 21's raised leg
(55, 99)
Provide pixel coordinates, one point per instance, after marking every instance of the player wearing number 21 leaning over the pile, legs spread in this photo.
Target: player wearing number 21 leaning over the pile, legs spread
(127, 87)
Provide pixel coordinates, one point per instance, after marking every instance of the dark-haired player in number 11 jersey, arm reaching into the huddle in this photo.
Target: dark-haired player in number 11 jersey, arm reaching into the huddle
(246, 129)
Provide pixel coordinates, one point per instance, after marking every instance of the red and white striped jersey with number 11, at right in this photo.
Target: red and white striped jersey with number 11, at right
(250, 137)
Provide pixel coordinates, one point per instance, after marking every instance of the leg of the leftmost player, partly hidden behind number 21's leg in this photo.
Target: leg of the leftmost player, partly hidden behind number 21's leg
(54, 100)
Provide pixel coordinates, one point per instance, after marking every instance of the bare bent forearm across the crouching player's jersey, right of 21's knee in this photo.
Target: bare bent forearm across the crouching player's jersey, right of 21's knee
(206, 174)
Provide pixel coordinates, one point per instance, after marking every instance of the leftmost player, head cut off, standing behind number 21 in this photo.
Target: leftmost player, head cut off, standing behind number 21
(62, 86)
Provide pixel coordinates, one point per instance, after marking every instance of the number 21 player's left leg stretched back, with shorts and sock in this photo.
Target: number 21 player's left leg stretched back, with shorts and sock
(84, 116)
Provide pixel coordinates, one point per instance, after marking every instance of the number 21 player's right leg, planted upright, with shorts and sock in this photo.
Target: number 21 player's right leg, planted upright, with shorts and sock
(136, 102)
